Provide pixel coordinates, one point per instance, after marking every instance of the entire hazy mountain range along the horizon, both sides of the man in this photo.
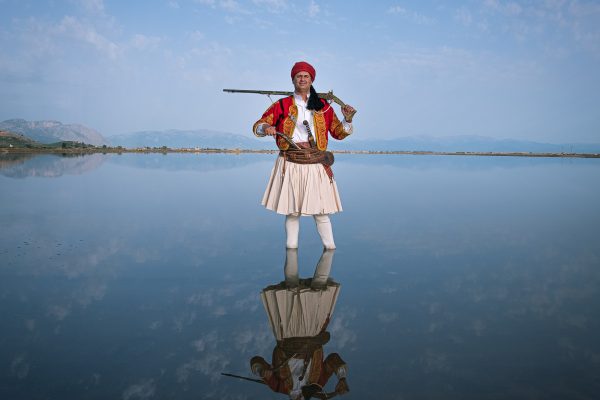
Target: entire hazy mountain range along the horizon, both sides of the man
(54, 131)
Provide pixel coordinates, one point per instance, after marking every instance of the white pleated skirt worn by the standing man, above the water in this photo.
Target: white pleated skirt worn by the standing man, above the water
(304, 189)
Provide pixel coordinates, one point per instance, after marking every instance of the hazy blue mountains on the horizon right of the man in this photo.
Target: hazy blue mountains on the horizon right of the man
(461, 143)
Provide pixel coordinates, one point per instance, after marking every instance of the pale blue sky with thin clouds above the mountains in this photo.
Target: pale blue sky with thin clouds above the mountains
(504, 69)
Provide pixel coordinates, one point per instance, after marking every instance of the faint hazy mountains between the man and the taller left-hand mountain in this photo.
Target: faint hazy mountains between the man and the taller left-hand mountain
(201, 138)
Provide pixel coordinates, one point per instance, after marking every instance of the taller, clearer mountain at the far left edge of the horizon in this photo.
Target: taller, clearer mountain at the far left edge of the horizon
(53, 131)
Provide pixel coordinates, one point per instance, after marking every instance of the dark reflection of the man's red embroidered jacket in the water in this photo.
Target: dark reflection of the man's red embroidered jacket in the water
(281, 380)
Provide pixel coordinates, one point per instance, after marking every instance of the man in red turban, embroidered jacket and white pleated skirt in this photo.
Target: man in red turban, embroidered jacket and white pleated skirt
(296, 189)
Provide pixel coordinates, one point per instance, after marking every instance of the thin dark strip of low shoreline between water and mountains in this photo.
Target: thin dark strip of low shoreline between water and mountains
(163, 150)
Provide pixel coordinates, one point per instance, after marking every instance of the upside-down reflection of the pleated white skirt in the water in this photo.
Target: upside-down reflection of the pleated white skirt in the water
(299, 312)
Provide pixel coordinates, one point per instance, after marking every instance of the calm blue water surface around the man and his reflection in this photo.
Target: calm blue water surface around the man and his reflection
(139, 276)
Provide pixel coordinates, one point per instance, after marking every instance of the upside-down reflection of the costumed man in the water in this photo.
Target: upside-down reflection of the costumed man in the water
(299, 311)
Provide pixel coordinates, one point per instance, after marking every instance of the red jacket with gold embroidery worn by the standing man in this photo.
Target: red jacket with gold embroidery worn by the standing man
(325, 121)
